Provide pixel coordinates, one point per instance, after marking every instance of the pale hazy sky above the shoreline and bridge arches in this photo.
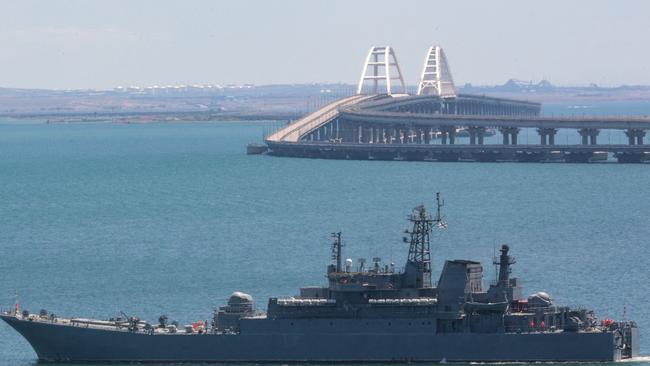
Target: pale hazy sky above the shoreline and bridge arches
(103, 44)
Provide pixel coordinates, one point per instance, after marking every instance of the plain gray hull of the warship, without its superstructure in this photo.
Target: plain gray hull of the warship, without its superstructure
(326, 340)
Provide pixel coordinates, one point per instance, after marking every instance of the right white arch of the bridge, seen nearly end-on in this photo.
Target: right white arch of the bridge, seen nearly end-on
(435, 78)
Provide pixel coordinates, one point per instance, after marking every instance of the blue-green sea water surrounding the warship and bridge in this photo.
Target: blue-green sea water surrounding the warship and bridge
(171, 218)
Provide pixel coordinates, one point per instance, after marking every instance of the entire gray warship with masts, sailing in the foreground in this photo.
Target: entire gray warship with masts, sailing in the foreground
(376, 313)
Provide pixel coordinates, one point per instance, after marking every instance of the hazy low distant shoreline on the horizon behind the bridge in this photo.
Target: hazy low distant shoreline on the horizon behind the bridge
(252, 103)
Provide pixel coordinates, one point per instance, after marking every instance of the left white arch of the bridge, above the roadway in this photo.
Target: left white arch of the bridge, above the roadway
(381, 66)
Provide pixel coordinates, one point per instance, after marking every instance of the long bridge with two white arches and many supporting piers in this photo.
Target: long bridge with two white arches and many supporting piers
(383, 122)
